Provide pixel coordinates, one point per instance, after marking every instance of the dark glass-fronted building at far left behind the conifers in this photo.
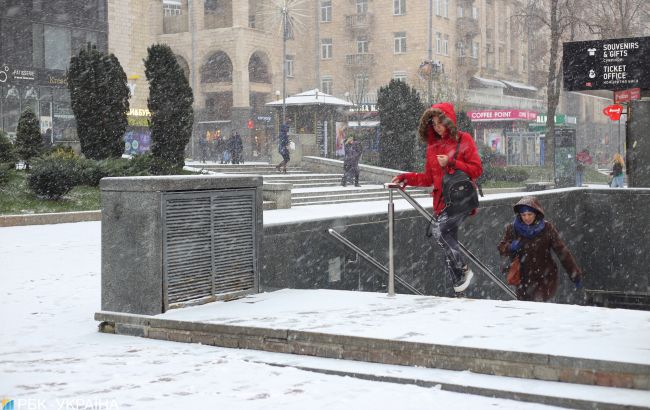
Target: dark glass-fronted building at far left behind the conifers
(37, 40)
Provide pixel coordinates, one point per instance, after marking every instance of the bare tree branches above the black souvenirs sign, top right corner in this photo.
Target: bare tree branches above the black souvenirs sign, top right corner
(618, 18)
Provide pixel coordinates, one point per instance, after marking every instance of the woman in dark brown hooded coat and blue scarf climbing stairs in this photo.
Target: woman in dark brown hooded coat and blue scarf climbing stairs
(532, 237)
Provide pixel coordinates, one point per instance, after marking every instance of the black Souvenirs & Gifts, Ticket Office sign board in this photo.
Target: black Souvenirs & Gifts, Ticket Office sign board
(614, 64)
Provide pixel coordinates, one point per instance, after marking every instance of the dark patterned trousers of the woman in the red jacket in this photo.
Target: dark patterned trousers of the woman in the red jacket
(445, 232)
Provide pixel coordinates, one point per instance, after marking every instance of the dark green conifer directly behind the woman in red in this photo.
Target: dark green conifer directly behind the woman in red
(399, 109)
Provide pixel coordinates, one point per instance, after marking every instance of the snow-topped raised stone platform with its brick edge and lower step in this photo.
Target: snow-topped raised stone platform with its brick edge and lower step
(584, 347)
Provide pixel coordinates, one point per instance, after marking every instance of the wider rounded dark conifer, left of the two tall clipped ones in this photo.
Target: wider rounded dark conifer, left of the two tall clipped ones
(100, 102)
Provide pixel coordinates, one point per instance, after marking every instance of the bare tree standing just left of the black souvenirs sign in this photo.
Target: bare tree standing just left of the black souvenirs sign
(560, 21)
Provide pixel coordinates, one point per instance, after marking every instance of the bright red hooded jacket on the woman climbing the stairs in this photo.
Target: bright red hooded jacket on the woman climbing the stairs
(467, 161)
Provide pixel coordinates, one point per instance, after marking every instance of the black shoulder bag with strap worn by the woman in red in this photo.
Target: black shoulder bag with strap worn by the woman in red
(459, 191)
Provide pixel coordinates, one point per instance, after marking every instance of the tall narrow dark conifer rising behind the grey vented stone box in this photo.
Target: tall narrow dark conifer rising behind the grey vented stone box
(170, 103)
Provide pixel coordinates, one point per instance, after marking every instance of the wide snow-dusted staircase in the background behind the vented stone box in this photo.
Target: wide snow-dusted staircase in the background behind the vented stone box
(308, 188)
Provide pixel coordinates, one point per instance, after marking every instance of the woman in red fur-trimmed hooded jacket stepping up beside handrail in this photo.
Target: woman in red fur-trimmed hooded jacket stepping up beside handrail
(438, 130)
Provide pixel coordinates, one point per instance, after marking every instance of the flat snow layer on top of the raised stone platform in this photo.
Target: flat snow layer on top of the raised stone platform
(565, 330)
